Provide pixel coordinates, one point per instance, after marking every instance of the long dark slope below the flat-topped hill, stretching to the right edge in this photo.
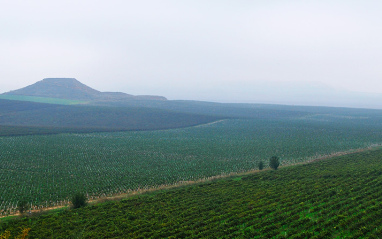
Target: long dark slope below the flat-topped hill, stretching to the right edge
(36, 118)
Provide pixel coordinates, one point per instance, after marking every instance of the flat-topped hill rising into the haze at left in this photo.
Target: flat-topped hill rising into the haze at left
(72, 89)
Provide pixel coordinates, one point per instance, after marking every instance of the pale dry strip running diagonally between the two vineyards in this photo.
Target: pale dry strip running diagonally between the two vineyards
(184, 183)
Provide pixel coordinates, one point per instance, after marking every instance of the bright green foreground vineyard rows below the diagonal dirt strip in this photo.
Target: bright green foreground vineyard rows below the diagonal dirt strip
(338, 198)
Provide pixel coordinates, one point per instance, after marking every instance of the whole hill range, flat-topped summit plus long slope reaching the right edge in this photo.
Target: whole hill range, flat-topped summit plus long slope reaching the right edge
(56, 105)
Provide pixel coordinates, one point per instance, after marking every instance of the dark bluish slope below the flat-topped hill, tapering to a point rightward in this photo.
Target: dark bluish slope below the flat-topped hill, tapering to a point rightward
(80, 118)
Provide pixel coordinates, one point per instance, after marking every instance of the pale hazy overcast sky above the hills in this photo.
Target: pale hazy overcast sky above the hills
(215, 50)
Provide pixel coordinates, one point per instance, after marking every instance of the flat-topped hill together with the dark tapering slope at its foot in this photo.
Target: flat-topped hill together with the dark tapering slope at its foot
(56, 105)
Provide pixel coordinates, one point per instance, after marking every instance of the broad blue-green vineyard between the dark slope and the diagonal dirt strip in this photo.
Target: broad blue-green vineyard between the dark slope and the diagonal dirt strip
(45, 170)
